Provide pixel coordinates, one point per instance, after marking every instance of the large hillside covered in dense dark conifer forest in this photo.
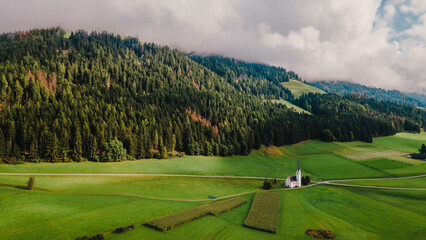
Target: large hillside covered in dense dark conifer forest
(68, 97)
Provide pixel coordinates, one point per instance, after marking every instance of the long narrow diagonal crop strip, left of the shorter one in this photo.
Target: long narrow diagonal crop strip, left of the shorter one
(176, 219)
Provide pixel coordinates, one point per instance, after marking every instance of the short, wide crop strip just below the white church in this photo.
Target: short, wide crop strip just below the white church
(264, 212)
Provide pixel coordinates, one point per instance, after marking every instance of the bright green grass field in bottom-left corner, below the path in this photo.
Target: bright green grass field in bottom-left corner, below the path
(51, 215)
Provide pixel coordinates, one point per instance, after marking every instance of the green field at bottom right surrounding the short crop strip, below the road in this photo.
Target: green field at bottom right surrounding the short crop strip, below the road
(322, 207)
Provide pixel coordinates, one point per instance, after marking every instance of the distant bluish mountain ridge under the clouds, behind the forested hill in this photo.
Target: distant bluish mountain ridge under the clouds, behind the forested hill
(346, 88)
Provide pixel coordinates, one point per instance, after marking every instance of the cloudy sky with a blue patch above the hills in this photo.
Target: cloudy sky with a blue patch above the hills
(379, 43)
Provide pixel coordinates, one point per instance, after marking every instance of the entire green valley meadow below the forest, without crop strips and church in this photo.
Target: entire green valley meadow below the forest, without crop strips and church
(67, 207)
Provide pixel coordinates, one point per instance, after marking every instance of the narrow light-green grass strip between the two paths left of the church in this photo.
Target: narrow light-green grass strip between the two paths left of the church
(158, 187)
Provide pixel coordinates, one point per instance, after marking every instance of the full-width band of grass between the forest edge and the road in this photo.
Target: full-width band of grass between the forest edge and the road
(319, 159)
